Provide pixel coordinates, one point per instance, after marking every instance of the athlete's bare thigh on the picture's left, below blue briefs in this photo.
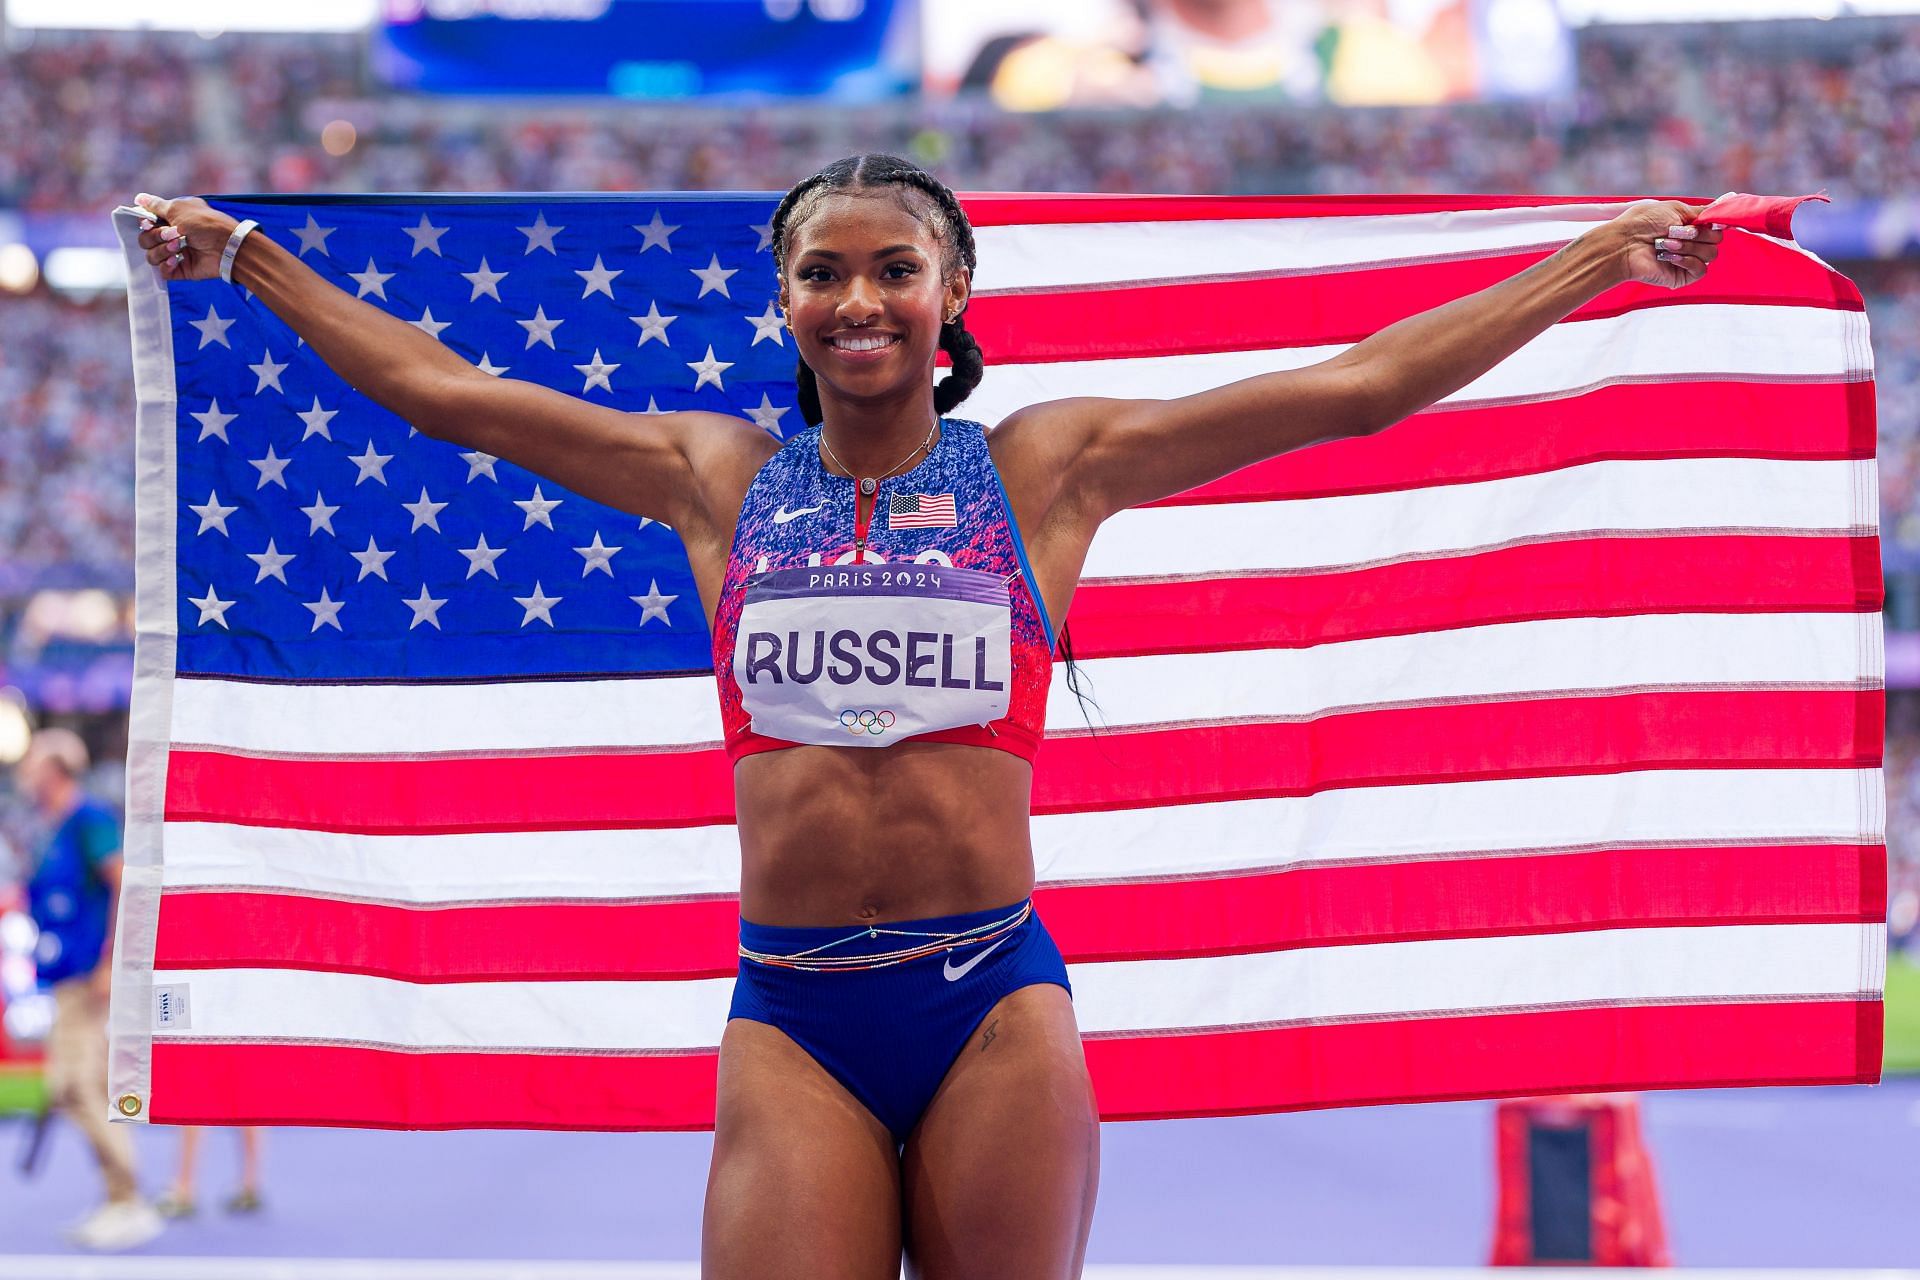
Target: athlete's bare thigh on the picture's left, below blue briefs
(805, 1181)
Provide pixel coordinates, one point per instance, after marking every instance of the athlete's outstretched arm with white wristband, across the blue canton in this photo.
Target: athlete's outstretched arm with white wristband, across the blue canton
(654, 465)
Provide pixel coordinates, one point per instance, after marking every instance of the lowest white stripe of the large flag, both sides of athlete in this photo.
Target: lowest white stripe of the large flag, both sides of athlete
(1381, 980)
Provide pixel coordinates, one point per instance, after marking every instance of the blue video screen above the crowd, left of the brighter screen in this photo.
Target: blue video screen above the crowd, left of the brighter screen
(848, 51)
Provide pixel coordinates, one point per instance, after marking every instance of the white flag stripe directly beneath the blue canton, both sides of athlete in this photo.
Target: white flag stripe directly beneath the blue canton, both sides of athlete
(1460, 663)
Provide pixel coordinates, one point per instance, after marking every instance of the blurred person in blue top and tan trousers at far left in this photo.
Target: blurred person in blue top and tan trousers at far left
(74, 895)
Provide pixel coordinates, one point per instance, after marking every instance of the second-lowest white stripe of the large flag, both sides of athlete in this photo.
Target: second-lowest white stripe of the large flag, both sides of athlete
(1347, 826)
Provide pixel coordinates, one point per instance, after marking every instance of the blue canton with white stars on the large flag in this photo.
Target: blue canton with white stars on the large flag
(322, 538)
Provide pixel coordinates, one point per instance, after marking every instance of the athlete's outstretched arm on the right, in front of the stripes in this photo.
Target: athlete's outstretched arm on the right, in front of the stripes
(1116, 454)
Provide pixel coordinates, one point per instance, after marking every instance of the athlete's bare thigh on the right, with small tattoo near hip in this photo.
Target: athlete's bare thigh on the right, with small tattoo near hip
(1001, 1173)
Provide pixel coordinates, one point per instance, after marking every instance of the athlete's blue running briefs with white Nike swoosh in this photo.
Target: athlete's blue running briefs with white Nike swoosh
(892, 1033)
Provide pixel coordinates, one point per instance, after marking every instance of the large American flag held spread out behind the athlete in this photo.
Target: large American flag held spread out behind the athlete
(1531, 746)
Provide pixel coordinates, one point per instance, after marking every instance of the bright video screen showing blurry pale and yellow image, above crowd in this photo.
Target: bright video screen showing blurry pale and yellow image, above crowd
(1182, 53)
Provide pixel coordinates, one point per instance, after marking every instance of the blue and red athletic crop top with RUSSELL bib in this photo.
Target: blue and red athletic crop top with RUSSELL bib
(936, 634)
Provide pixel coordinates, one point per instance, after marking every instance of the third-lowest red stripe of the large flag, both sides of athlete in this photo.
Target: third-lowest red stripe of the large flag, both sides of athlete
(1531, 738)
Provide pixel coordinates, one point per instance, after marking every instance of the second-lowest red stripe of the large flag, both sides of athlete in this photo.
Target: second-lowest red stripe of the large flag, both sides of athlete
(1159, 920)
